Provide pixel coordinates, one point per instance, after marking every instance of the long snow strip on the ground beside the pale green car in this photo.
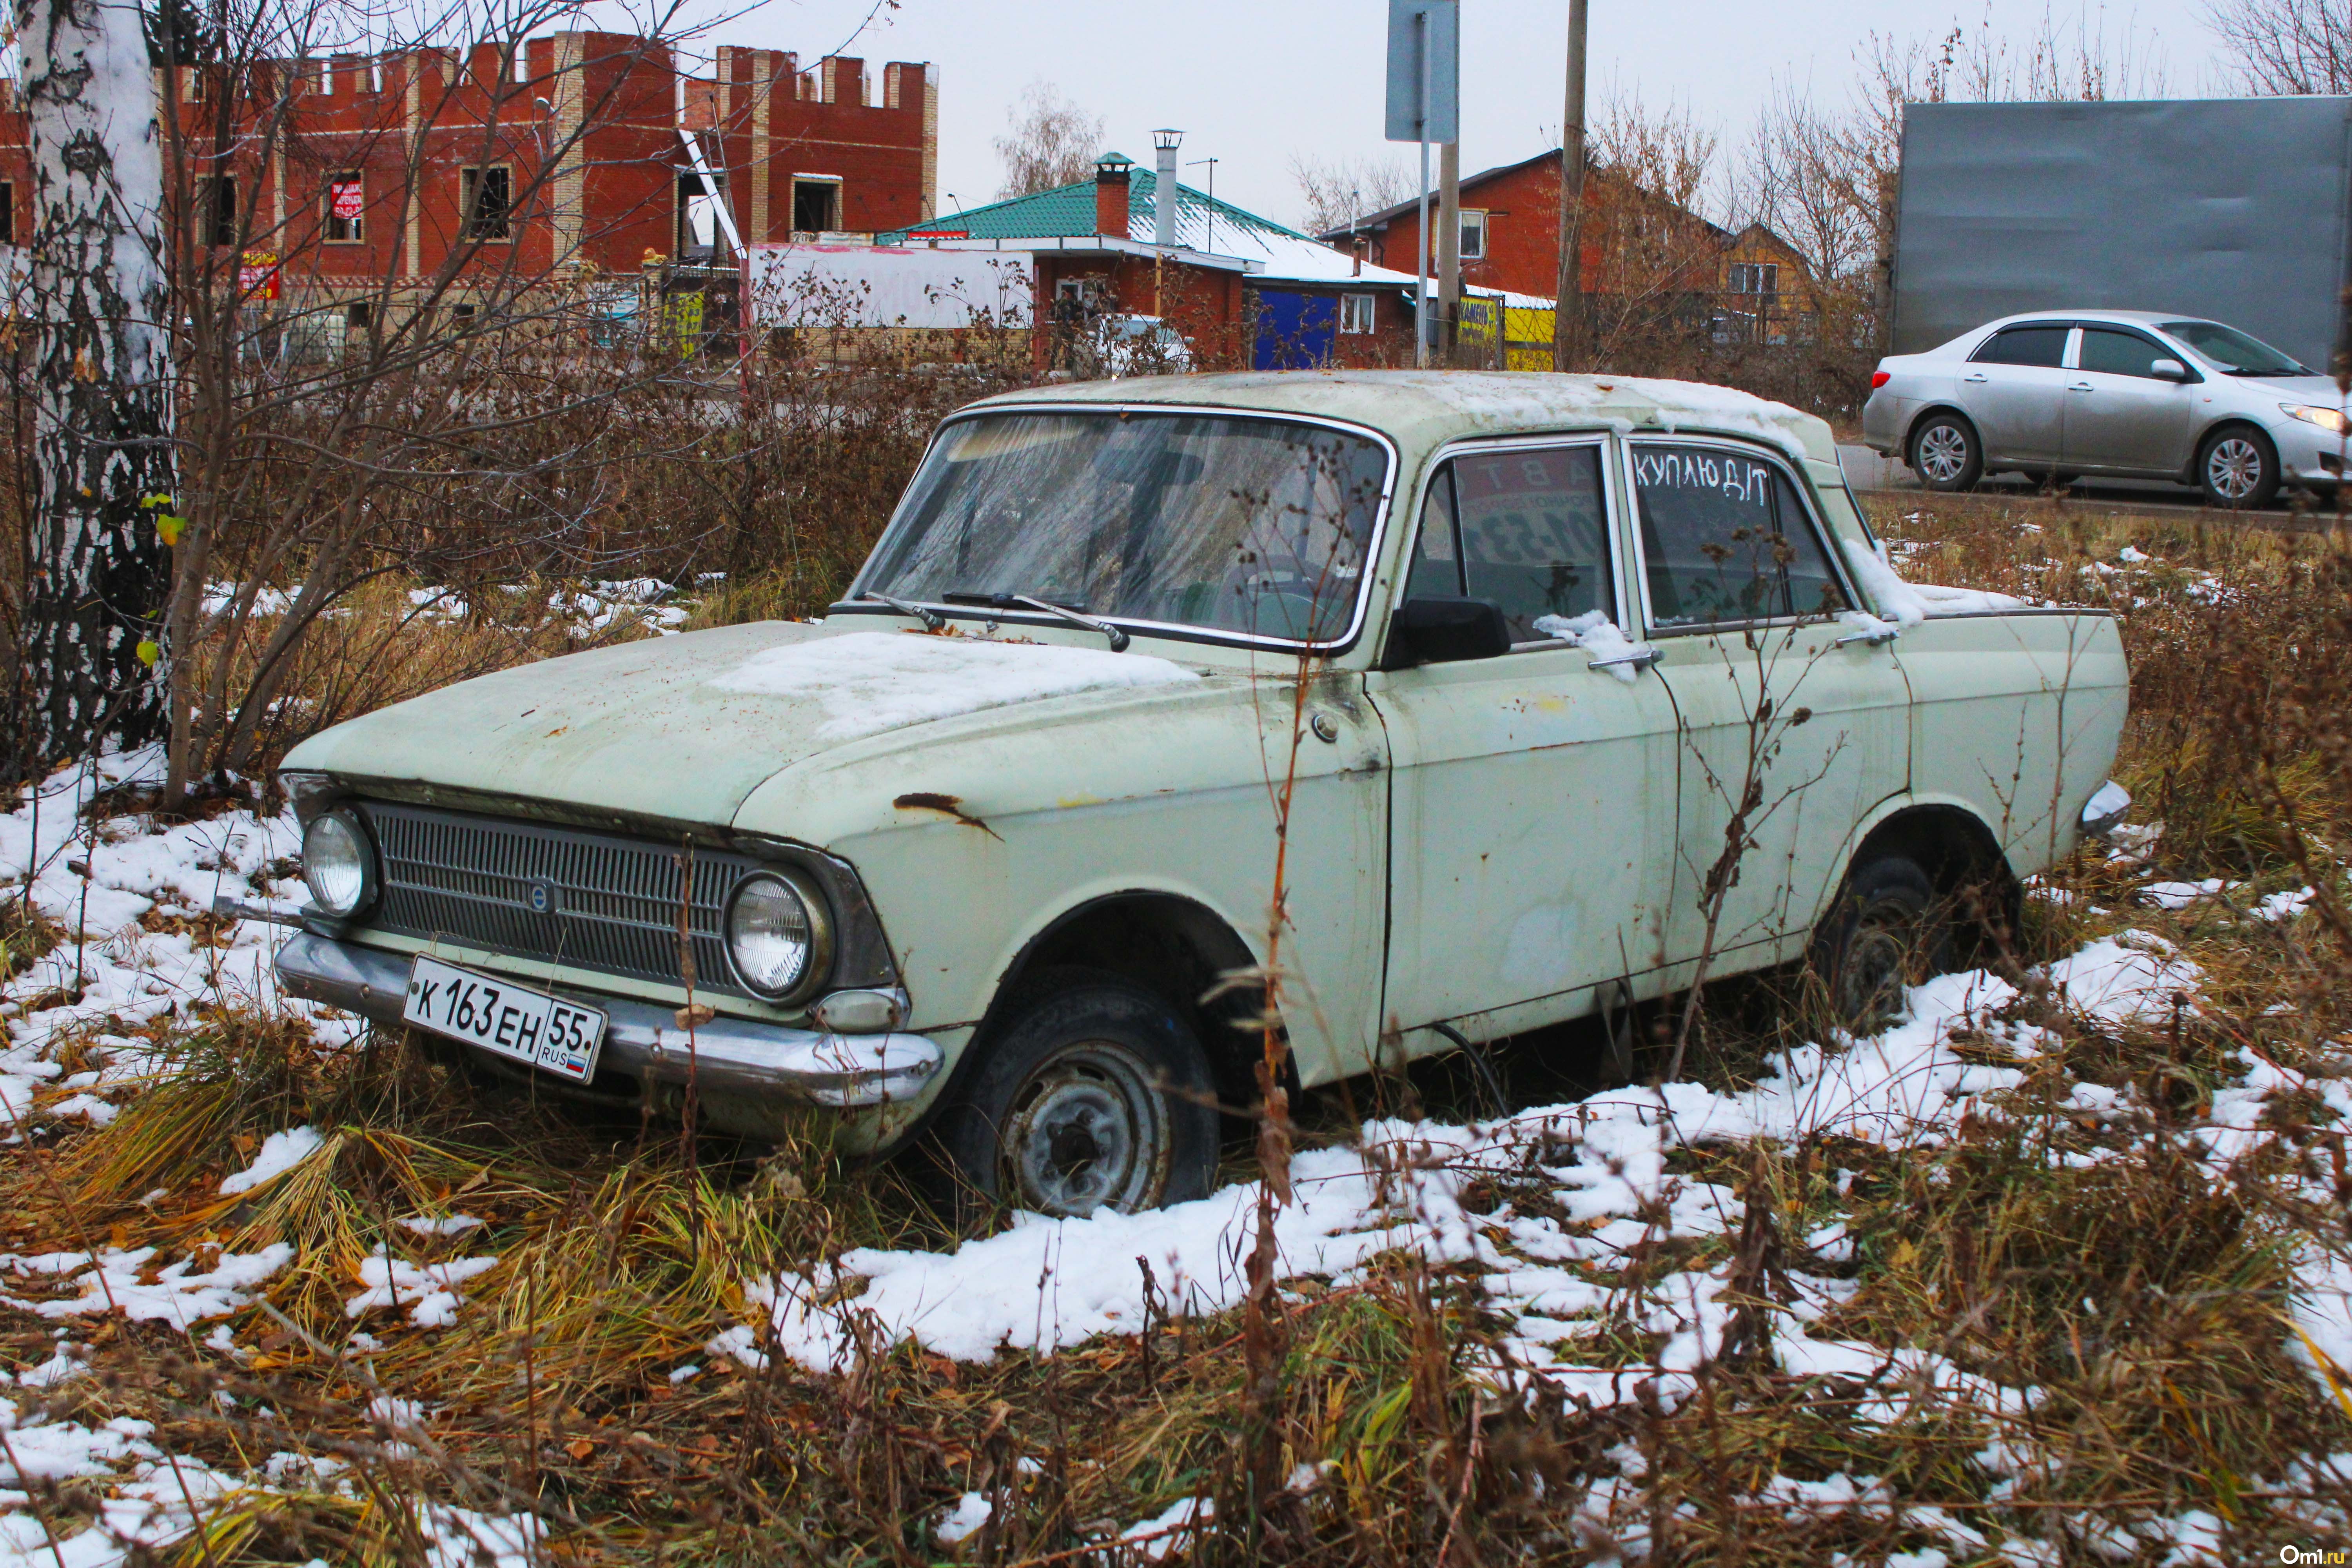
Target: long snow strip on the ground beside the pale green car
(1050, 1285)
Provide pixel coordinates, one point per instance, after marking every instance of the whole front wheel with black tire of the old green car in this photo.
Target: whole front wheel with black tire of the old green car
(1093, 1094)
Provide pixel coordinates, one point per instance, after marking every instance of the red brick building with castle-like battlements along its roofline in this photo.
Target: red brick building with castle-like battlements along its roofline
(502, 170)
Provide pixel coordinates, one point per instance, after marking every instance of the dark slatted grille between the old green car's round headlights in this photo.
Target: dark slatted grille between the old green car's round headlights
(610, 902)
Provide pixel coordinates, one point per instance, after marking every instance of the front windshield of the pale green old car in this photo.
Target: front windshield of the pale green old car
(1208, 521)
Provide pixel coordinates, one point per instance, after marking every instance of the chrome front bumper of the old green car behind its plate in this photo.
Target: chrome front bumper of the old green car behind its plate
(643, 1040)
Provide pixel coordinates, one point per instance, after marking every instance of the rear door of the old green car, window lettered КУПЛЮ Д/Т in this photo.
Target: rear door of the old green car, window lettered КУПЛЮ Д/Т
(1793, 723)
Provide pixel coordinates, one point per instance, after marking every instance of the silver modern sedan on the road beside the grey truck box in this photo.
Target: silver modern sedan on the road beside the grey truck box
(2111, 394)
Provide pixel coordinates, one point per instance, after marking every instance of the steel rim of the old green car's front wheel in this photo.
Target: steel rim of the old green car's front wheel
(1088, 1132)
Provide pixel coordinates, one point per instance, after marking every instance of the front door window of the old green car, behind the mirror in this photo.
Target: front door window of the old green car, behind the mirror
(1525, 530)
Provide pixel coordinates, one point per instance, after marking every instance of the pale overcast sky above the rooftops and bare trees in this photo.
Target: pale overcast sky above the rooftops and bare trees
(1257, 81)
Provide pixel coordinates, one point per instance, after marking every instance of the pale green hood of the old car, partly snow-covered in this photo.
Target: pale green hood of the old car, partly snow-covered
(688, 728)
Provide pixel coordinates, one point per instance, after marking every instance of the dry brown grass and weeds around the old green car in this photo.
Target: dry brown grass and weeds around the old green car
(2097, 1259)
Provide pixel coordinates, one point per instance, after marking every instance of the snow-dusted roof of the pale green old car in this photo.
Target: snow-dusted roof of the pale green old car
(1419, 410)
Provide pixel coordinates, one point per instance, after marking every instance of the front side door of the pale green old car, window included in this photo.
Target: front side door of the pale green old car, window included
(1523, 850)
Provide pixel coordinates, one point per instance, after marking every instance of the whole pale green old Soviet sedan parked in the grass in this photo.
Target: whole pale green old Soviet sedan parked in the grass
(1511, 659)
